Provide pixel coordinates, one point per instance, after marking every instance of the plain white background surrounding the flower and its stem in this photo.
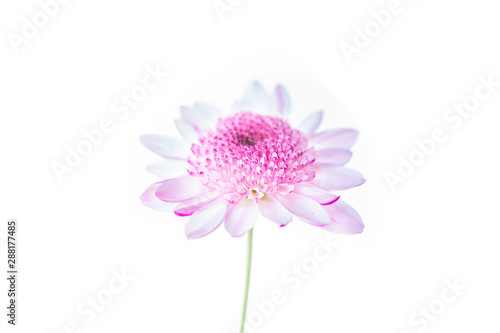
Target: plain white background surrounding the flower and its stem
(441, 223)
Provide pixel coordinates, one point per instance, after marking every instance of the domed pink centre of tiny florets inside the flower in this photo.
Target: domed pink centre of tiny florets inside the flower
(251, 155)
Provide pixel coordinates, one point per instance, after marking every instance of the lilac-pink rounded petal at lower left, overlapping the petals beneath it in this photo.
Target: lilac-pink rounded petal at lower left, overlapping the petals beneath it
(180, 189)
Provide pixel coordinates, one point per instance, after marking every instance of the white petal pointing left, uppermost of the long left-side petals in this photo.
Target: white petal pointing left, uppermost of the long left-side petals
(165, 146)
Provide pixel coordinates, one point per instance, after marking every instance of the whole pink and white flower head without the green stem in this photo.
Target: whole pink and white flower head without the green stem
(230, 169)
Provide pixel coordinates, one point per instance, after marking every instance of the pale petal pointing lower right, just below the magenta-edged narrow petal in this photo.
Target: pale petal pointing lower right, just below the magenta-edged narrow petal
(306, 209)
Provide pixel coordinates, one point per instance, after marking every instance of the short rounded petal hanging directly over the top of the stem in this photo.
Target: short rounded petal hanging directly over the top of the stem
(241, 217)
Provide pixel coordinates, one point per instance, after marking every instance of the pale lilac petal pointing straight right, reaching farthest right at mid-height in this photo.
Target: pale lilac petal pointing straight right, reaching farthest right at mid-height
(335, 178)
